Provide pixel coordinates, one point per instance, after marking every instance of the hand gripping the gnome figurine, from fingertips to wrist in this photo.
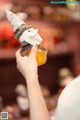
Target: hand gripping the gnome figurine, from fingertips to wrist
(27, 65)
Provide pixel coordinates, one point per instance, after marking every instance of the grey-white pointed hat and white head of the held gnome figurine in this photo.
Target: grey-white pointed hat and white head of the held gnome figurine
(25, 33)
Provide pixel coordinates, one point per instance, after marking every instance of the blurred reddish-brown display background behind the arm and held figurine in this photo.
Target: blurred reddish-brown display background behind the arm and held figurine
(59, 26)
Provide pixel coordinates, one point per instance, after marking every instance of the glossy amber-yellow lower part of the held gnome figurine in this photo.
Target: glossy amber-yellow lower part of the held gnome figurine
(41, 56)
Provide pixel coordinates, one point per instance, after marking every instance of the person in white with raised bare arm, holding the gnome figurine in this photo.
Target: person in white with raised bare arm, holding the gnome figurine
(69, 100)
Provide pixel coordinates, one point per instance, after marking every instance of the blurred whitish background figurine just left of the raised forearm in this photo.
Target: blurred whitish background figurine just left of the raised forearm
(22, 99)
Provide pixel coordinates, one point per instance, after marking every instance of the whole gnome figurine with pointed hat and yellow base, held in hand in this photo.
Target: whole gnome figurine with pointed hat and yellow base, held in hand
(28, 36)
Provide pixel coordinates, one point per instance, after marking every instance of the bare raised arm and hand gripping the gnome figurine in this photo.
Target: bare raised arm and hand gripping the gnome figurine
(28, 67)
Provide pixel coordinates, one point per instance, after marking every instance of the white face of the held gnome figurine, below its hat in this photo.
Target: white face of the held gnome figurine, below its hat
(31, 36)
